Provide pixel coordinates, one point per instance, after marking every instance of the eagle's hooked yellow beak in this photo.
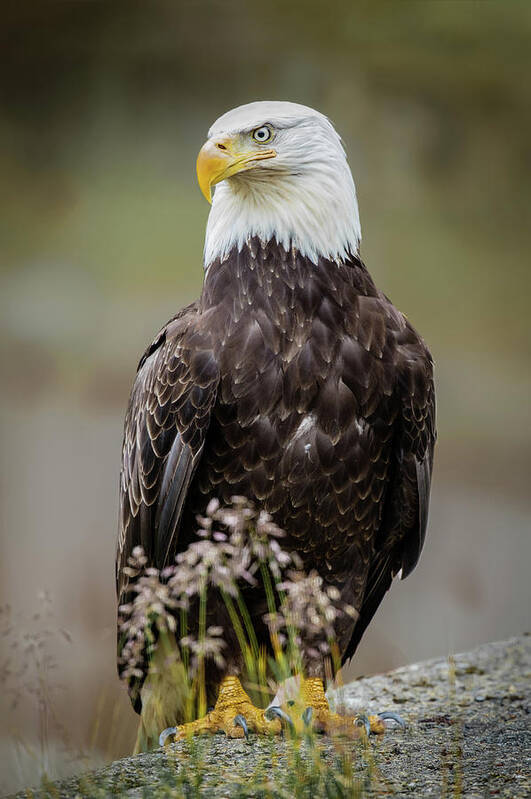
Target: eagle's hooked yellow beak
(221, 157)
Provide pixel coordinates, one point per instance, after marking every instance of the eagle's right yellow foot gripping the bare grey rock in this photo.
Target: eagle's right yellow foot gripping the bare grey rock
(317, 714)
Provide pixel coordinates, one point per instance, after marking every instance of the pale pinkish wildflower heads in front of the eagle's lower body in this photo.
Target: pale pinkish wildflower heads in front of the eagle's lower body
(234, 544)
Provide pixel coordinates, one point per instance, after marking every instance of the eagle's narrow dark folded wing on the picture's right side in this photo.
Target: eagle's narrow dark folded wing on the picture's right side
(405, 515)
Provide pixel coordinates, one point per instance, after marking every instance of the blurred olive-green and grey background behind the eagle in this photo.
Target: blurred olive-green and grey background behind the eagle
(104, 107)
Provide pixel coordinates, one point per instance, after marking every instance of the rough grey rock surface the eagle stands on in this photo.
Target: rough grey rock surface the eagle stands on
(468, 735)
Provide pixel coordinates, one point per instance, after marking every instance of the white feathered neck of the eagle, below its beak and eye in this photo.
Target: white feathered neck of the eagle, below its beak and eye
(313, 210)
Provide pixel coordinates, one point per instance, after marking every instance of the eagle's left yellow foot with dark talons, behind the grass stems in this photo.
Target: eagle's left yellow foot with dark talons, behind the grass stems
(234, 714)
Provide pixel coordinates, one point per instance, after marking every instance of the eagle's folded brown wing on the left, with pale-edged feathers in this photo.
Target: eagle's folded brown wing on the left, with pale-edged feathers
(165, 427)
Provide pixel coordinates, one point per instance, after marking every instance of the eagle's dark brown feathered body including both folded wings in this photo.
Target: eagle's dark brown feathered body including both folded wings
(301, 387)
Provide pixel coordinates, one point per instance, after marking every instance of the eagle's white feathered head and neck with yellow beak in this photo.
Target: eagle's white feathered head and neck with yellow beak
(281, 173)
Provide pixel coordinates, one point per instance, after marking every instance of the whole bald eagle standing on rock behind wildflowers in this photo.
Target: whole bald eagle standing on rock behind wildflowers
(292, 381)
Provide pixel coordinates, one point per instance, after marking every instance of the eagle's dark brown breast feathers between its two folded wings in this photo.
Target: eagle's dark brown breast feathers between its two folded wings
(303, 421)
